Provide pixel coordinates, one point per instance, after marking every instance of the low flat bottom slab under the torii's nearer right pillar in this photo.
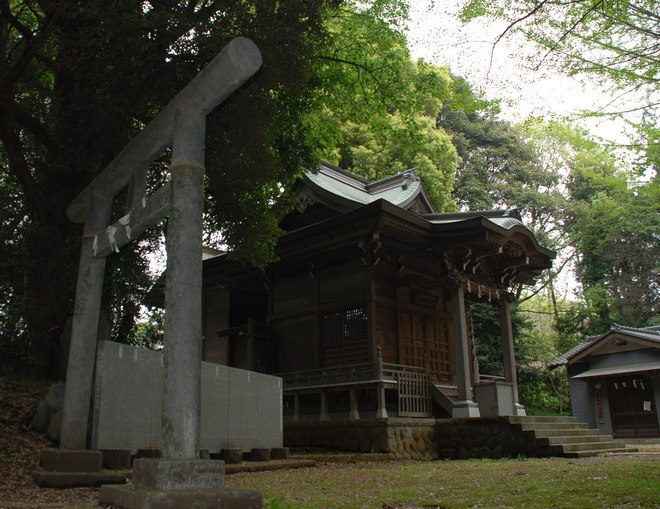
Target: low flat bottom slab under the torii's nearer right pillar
(129, 497)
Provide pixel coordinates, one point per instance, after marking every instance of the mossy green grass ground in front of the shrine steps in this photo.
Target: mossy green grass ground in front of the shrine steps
(604, 482)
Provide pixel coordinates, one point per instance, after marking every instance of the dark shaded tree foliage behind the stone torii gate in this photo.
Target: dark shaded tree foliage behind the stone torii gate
(78, 80)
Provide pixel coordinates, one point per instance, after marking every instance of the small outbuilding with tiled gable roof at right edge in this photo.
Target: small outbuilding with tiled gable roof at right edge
(614, 379)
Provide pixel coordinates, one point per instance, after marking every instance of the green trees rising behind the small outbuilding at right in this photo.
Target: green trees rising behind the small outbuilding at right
(615, 228)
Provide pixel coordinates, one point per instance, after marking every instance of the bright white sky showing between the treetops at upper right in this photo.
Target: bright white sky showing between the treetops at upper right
(436, 35)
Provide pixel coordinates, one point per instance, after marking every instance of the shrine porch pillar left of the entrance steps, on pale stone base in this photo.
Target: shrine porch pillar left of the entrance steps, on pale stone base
(464, 407)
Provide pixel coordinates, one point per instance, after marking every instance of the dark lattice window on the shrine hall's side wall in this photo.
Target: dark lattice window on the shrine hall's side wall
(344, 337)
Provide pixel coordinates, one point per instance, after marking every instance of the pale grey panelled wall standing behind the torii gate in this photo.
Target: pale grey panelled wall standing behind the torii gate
(238, 408)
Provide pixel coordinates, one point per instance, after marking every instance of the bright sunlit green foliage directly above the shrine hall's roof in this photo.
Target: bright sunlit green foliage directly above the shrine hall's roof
(376, 113)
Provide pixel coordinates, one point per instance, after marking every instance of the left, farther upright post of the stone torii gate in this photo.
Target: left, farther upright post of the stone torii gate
(82, 351)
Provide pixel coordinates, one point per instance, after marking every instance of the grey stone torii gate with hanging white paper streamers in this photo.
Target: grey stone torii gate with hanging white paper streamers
(181, 125)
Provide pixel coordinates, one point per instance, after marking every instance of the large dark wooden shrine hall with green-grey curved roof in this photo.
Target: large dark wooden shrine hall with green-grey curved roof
(365, 313)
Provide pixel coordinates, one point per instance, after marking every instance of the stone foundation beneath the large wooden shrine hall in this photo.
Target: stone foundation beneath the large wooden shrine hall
(421, 439)
